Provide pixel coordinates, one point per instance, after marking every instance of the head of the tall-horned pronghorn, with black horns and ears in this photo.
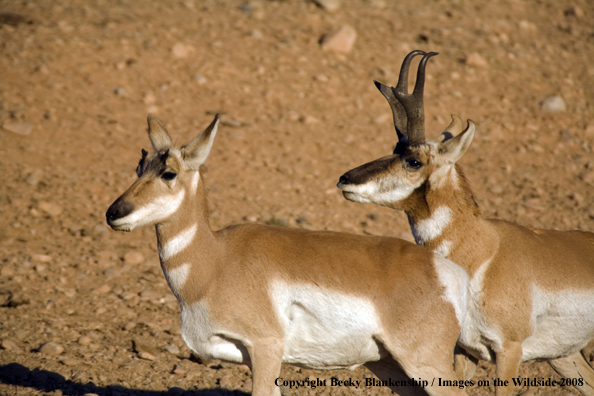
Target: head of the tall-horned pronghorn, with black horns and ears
(416, 165)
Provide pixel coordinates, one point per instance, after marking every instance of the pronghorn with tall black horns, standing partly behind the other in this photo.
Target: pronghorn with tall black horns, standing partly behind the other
(531, 291)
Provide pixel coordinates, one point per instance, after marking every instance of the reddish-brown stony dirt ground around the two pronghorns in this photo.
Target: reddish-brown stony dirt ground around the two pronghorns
(78, 78)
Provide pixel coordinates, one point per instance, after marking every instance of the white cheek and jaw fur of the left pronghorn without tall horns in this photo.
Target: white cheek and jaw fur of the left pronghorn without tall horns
(151, 213)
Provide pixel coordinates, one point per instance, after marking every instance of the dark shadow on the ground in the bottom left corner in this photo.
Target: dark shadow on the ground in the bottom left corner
(47, 381)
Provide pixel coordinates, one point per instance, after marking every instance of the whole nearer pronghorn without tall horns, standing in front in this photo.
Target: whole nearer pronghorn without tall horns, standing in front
(265, 295)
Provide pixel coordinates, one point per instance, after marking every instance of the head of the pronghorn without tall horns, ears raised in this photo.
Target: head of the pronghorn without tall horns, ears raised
(166, 178)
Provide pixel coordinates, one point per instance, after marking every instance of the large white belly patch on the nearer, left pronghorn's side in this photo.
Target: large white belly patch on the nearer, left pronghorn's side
(325, 328)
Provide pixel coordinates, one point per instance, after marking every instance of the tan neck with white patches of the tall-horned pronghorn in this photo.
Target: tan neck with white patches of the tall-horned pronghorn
(449, 222)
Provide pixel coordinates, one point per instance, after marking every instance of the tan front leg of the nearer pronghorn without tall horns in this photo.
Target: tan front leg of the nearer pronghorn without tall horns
(266, 358)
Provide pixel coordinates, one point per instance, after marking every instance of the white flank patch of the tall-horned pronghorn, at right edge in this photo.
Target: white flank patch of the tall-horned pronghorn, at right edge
(562, 322)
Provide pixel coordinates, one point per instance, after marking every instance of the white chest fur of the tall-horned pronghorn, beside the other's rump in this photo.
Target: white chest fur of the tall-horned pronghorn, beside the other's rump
(478, 335)
